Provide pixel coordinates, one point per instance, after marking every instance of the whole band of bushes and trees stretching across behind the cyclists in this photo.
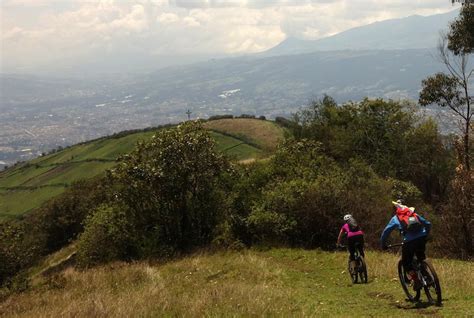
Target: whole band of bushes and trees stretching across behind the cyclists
(175, 192)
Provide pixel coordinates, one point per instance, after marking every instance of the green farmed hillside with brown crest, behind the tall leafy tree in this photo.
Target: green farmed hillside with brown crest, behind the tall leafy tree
(28, 185)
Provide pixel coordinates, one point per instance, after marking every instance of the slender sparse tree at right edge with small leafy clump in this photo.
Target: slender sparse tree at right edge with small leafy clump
(451, 90)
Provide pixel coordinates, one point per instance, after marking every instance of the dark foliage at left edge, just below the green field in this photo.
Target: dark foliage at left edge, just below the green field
(23, 242)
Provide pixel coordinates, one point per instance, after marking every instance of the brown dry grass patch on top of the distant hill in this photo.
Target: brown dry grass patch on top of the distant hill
(264, 133)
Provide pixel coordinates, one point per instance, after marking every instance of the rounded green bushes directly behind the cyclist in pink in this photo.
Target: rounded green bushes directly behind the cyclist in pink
(307, 194)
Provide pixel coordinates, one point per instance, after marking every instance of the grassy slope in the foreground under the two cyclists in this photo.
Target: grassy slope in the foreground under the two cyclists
(278, 282)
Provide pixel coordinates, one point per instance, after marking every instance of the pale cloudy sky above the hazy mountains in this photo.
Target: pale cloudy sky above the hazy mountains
(38, 35)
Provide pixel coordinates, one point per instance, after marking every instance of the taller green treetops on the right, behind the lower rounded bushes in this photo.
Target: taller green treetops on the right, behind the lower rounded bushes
(385, 134)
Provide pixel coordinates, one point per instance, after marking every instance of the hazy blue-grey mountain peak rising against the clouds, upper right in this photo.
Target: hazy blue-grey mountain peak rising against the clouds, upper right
(413, 32)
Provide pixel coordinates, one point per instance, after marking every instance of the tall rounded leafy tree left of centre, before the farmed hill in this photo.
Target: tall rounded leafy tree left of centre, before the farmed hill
(170, 188)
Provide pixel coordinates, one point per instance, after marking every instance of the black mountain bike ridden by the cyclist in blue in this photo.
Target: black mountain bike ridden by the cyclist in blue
(427, 276)
